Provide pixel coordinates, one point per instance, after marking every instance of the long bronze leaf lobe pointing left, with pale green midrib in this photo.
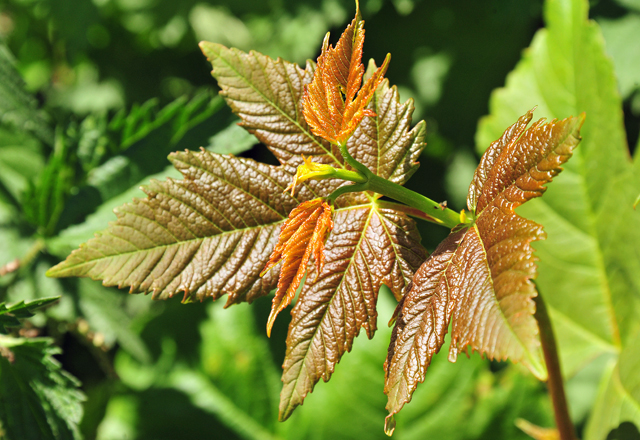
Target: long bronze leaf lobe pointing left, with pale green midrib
(206, 235)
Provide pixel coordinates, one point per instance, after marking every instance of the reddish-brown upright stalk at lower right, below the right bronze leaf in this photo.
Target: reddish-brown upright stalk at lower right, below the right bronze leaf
(554, 381)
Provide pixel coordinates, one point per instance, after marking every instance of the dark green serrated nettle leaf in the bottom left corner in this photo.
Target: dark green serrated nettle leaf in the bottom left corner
(38, 400)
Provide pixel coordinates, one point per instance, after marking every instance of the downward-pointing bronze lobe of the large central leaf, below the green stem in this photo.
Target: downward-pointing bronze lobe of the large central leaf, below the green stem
(368, 246)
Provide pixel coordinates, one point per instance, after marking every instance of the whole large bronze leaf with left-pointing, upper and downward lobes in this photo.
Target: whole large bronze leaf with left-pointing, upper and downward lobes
(211, 233)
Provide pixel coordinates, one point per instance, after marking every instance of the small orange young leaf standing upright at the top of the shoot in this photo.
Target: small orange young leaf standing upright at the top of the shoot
(334, 103)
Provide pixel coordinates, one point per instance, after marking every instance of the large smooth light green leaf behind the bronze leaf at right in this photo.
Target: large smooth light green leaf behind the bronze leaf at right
(589, 268)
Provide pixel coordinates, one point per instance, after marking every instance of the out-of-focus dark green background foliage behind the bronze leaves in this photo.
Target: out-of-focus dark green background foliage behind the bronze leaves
(95, 94)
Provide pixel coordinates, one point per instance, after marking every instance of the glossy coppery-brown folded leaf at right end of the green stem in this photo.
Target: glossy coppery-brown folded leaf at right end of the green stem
(479, 278)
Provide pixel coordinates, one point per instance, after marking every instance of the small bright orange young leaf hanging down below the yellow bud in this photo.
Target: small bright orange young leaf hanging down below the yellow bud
(302, 235)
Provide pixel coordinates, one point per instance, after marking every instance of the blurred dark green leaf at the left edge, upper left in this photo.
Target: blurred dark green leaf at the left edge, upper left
(17, 107)
